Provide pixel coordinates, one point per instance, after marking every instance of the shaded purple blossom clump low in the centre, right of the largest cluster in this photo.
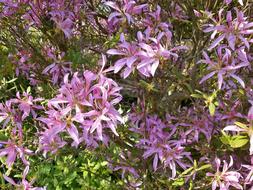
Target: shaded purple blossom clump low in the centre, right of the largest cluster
(158, 143)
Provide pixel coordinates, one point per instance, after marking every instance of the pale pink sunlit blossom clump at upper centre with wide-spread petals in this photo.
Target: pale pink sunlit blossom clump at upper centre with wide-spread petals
(145, 57)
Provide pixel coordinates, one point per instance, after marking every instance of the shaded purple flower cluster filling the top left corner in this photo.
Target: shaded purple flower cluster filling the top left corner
(59, 12)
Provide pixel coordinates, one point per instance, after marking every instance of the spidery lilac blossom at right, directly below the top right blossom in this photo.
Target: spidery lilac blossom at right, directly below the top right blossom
(225, 65)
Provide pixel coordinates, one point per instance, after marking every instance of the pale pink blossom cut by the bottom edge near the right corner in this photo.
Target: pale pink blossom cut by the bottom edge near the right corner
(224, 179)
